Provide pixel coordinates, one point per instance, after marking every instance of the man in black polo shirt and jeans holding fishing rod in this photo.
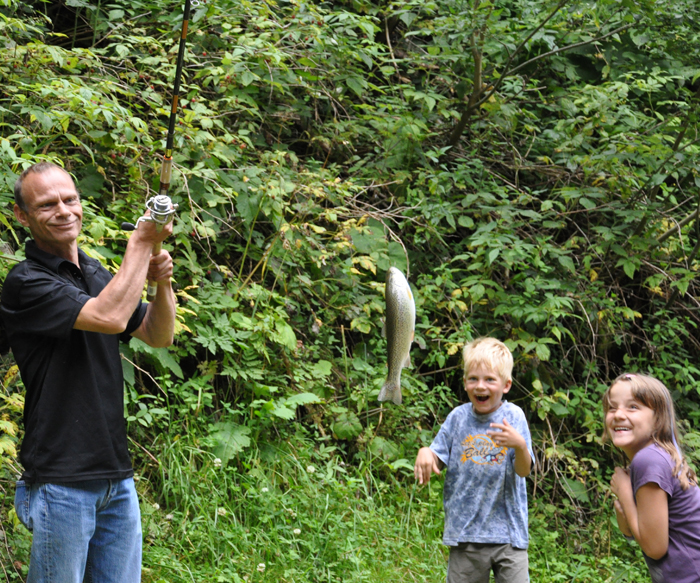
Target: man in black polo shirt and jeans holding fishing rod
(65, 315)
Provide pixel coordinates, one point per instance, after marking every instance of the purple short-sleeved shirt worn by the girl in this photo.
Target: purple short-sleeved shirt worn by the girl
(681, 564)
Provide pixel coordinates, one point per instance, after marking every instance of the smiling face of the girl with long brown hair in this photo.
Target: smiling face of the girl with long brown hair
(630, 424)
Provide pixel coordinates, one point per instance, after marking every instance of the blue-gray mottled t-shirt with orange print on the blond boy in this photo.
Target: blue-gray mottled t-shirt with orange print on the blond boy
(485, 500)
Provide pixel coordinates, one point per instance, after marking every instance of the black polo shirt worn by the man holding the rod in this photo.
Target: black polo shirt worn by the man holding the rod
(74, 406)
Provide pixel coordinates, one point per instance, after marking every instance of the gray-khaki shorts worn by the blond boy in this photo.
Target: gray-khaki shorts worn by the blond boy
(473, 563)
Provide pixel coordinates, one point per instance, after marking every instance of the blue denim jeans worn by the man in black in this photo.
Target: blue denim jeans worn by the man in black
(84, 532)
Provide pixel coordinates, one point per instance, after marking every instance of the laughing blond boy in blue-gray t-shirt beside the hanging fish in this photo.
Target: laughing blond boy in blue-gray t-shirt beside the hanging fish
(486, 447)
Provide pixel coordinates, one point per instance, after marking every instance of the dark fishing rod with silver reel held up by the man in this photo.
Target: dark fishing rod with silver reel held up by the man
(161, 206)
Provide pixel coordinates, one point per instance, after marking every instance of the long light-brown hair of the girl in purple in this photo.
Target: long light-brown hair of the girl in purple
(652, 393)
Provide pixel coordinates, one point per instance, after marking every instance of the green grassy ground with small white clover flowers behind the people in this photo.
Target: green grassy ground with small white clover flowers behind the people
(298, 513)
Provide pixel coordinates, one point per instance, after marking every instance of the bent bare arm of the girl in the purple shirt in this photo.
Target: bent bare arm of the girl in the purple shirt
(648, 518)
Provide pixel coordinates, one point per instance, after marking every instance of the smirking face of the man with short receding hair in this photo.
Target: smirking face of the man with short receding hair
(54, 214)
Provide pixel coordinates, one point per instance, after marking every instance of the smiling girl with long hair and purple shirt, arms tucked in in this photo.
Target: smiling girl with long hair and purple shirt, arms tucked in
(658, 500)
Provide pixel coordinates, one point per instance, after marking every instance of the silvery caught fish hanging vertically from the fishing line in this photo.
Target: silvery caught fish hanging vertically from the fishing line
(400, 330)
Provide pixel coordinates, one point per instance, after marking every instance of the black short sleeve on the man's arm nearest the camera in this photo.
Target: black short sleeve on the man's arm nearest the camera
(43, 304)
